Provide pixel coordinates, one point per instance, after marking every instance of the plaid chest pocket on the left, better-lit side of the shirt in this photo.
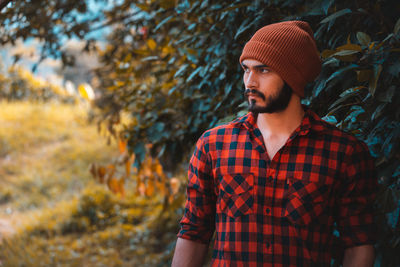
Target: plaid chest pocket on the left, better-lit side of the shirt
(236, 194)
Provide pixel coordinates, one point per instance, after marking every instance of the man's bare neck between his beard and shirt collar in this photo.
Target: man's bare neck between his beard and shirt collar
(284, 122)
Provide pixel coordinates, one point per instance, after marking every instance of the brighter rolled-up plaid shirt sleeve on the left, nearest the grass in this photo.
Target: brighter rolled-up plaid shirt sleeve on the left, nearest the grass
(198, 222)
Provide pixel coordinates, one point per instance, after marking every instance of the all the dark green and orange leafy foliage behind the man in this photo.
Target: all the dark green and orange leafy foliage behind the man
(173, 66)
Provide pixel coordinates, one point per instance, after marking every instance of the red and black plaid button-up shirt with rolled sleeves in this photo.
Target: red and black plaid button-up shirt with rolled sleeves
(279, 212)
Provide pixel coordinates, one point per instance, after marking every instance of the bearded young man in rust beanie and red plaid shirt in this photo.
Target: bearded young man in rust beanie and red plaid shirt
(273, 183)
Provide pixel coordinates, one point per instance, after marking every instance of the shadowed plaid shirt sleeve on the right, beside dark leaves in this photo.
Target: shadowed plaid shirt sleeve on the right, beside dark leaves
(355, 221)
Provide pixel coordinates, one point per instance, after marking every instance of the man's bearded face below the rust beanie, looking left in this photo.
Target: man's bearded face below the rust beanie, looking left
(266, 92)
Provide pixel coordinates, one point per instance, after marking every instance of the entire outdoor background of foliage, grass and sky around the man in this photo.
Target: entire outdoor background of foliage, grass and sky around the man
(101, 103)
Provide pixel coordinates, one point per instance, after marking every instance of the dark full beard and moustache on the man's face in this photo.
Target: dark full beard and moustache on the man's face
(274, 103)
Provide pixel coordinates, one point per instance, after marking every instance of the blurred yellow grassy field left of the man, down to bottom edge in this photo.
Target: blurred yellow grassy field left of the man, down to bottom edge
(53, 213)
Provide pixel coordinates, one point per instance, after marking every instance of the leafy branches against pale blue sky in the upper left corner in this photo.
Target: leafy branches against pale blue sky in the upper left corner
(46, 20)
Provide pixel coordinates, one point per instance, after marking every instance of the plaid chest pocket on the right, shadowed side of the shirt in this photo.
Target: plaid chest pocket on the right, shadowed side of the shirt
(305, 201)
